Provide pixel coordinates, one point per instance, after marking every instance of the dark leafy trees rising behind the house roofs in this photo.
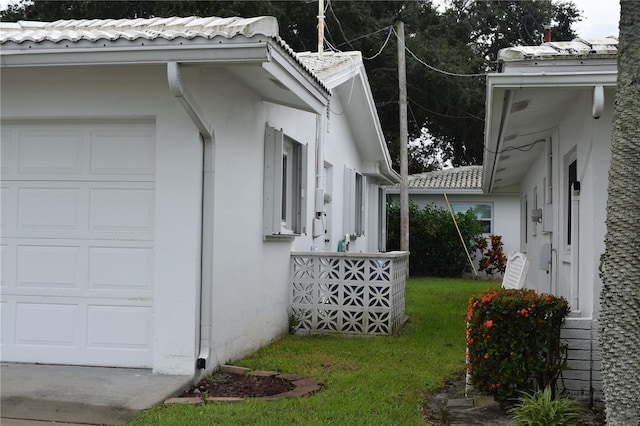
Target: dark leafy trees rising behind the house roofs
(448, 53)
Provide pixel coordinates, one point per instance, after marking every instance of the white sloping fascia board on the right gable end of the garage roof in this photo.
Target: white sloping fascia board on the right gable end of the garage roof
(290, 77)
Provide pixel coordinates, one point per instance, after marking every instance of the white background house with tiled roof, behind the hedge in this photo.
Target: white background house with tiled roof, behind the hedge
(499, 213)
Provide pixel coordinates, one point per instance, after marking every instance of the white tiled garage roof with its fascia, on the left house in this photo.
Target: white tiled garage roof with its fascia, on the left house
(209, 40)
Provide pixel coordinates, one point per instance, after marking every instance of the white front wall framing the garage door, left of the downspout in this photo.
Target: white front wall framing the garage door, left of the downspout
(93, 93)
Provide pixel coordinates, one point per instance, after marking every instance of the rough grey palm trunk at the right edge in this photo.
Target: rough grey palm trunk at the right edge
(620, 296)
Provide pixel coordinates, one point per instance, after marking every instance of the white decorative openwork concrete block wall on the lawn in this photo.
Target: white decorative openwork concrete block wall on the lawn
(349, 293)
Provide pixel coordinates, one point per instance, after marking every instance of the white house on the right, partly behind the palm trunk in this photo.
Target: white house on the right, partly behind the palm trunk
(548, 136)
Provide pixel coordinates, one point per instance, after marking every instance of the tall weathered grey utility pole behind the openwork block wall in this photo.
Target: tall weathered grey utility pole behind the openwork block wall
(404, 168)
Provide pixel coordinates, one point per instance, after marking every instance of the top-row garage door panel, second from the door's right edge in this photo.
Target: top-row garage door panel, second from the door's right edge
(50, 151)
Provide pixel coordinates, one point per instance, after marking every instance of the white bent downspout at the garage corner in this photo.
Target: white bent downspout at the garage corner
(206, 279)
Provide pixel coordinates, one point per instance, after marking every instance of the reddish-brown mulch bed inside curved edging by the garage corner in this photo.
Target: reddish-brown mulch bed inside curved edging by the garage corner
(223, 384)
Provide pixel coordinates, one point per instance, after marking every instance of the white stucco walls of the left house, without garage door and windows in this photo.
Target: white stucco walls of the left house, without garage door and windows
(250, 296)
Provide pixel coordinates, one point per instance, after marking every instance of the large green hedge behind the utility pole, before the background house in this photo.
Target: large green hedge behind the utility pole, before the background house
(434, 245)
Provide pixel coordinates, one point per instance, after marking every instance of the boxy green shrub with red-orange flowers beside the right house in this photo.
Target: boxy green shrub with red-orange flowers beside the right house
(513, 341)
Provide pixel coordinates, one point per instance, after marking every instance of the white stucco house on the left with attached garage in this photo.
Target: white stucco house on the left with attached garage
(157, 175)
